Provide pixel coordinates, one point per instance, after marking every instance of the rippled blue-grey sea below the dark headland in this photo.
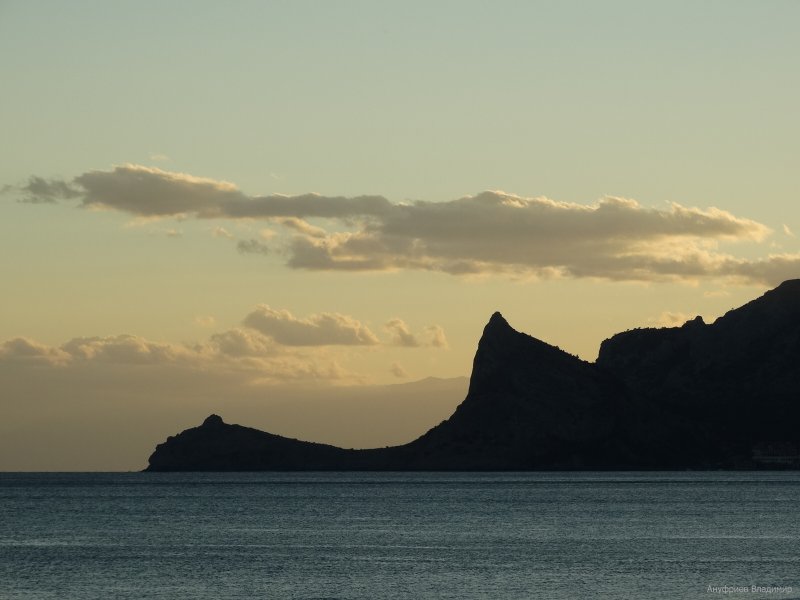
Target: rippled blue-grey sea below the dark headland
(389, 535)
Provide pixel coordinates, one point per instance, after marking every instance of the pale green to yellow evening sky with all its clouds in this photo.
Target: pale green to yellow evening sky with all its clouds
(300, 215)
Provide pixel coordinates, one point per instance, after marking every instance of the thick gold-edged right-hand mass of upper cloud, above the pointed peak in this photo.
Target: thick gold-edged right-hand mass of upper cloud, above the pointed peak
(499, 233)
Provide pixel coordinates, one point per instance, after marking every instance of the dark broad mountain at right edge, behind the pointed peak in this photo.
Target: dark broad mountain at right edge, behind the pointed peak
(724, 389)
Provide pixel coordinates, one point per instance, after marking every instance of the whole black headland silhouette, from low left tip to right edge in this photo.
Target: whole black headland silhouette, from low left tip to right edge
(702, 396)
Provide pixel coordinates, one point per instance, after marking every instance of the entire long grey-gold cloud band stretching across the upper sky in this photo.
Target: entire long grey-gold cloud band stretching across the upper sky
(490, 233)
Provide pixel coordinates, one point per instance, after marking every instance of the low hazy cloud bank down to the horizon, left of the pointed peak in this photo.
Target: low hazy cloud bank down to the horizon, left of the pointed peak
(81, 394)
